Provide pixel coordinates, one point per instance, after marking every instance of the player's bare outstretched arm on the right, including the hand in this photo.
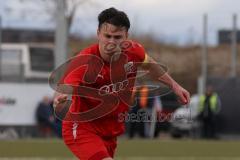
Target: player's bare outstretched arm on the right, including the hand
(161, 74)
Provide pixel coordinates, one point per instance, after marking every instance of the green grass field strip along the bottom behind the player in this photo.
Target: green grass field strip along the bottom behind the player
(51, 149)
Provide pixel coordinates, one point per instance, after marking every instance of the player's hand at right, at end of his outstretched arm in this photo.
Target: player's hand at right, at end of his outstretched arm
(183, 94)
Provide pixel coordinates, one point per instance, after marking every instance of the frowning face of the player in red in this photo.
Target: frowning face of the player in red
(108, 37)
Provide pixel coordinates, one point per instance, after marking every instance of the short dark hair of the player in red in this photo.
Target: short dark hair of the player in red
(114, 17)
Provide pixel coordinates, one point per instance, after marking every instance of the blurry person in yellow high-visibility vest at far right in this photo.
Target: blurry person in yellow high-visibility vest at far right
(209, 107)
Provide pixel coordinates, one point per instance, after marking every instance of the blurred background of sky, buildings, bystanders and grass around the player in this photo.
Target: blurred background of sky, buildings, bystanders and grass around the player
(197, 41)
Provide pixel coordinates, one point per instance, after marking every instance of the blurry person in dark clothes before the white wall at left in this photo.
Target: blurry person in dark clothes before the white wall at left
(45, 117)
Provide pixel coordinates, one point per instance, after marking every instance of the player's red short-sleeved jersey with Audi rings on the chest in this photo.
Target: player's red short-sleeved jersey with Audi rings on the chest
(108, 79)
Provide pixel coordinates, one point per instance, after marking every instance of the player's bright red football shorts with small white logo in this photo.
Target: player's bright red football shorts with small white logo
(87, 145)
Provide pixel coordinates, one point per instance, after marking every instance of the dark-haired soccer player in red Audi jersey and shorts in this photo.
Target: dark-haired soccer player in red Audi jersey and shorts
(95, 137)
